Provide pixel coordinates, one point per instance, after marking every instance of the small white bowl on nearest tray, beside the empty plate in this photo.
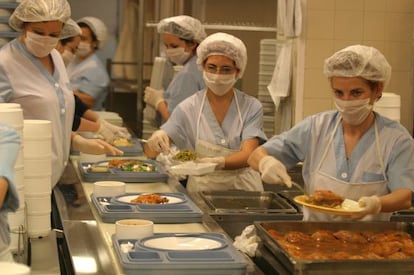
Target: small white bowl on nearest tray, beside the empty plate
(134, 229)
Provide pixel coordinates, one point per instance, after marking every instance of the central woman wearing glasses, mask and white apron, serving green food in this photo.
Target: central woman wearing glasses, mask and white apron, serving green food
(222, 124)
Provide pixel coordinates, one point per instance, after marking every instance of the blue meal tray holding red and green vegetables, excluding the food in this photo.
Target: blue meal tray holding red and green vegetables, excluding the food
(160, 175)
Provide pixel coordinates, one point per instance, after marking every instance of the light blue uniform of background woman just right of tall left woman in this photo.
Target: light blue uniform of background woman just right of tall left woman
(90, 77)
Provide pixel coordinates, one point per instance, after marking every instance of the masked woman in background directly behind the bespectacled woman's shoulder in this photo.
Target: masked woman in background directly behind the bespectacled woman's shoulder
(181, 36)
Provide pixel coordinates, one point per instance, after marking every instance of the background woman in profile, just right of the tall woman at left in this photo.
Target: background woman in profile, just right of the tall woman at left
(87, 73)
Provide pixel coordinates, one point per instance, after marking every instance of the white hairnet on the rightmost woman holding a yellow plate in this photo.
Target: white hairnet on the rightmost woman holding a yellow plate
(359, 61)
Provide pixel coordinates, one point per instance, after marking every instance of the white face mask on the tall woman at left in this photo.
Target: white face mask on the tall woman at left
(40, 45)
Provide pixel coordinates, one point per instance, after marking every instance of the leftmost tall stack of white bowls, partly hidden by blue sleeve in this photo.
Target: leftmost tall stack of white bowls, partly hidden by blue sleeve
(12, 114)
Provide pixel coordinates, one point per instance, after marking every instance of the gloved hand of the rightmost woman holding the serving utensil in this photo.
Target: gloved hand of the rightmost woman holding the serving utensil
(274, 172)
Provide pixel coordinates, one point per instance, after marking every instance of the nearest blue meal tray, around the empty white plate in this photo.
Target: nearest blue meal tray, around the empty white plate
(224, 259)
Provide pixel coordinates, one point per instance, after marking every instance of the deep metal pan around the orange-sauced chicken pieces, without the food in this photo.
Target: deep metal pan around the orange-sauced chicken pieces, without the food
(324, 266)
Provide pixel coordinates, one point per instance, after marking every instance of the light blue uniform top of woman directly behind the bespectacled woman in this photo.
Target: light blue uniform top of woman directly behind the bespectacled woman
(184, 84)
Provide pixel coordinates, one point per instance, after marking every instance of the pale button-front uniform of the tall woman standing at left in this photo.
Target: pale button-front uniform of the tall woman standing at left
(24, 80)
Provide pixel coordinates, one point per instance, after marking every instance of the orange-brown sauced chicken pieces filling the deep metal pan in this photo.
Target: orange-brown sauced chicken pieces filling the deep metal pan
(346, 244)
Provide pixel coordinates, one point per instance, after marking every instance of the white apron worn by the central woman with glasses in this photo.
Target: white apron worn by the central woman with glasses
(220, 180)
